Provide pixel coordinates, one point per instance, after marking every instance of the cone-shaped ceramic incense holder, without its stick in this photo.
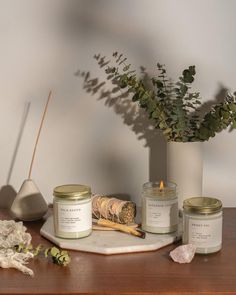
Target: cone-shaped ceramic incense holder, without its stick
(29, 203)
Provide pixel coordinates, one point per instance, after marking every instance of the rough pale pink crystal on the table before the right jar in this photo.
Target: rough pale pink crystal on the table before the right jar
(183, 254)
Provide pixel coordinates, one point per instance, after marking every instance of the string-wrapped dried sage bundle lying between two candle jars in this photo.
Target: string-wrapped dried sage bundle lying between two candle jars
(113, 209)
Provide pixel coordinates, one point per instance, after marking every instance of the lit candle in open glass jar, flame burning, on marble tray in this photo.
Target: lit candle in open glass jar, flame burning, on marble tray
(159, 207)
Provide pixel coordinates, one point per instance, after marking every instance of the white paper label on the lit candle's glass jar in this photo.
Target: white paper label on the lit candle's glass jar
(161, 213)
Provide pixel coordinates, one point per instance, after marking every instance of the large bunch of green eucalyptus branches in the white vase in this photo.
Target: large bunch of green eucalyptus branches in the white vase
(171, 105)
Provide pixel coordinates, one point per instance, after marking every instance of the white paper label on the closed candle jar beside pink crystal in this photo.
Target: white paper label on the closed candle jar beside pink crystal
(205, 233)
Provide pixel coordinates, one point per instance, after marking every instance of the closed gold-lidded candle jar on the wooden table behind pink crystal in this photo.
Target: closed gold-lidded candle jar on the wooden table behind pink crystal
(202, 224)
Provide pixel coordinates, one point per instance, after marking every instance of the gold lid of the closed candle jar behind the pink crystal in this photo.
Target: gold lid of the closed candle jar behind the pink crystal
(202, 205)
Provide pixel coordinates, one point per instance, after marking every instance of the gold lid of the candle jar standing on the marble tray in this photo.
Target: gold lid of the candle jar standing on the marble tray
(72, 191)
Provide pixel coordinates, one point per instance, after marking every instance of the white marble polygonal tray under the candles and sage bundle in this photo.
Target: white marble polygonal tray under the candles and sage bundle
(109, 242)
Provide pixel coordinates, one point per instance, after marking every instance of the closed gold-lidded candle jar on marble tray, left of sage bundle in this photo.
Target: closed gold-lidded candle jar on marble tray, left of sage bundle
(72, 210)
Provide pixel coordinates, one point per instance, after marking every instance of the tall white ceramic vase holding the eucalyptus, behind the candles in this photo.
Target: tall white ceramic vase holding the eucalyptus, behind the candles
(185, 168)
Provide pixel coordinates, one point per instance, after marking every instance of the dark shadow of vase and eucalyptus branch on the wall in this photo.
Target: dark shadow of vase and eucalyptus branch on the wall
(134, 117)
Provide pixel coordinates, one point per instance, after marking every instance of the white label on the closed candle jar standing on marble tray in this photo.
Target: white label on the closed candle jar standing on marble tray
(74, 218)
